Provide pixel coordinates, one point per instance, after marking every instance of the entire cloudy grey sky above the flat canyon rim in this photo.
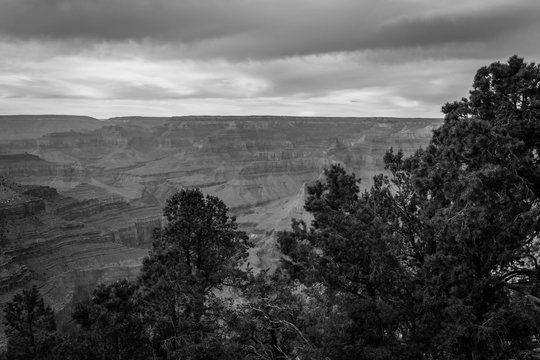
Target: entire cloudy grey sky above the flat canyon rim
(399, 58)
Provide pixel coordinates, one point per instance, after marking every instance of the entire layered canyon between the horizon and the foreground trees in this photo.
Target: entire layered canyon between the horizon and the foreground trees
(80, 196)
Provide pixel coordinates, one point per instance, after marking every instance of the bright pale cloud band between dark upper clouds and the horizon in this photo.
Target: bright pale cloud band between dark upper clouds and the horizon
(297, 85)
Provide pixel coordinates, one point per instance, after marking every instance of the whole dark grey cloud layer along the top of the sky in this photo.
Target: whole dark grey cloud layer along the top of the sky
(257, 29)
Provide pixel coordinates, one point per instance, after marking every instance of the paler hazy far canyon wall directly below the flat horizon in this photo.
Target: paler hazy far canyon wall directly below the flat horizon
(247, 161)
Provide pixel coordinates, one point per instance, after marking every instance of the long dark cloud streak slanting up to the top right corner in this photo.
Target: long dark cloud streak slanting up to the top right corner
(357, 31)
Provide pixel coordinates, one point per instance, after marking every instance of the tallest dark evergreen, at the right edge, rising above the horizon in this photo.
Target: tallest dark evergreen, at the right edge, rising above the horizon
(480, 176)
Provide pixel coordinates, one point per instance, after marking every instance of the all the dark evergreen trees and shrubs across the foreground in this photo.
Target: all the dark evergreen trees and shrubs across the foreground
(437, 260)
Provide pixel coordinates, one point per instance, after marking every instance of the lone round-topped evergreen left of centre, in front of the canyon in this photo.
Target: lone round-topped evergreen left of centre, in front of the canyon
(197, 254)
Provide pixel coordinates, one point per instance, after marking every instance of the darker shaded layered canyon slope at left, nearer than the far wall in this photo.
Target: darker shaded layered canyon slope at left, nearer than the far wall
(60, 246)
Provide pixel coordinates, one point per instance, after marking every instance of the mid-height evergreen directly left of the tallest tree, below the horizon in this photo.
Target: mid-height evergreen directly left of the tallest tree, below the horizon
(352, 251)
